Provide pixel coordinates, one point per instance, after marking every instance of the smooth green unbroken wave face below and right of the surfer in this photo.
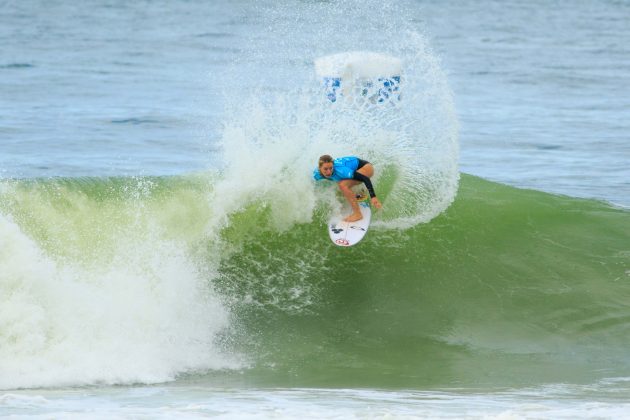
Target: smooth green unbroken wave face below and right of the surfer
(507, 287)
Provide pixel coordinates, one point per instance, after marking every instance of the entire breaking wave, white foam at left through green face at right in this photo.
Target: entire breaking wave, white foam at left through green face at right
(124, 280)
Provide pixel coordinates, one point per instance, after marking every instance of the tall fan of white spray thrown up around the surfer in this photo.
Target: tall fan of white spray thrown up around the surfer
(277, 127)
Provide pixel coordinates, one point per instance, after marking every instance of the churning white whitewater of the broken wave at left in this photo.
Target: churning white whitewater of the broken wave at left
(145, 317)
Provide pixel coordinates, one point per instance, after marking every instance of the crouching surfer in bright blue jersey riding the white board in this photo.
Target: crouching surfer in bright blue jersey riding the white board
(348, 171)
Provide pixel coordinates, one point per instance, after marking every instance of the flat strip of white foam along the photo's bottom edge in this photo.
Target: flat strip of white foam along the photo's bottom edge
(197, 403)
